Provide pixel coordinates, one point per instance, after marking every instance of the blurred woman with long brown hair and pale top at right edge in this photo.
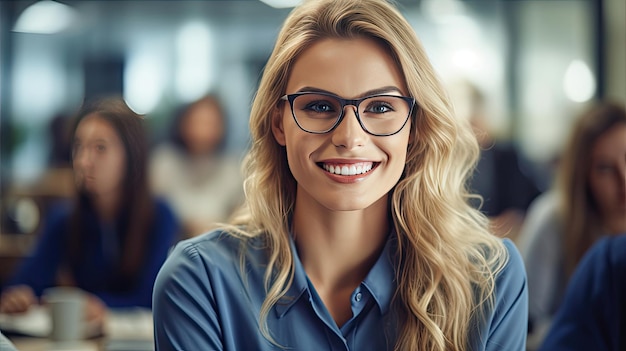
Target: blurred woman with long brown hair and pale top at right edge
(588, 202)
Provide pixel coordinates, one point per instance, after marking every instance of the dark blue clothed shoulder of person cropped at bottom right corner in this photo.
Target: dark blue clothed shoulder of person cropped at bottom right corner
(592, 315)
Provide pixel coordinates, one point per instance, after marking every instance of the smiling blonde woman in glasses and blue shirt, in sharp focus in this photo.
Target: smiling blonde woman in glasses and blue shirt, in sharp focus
(357, 233)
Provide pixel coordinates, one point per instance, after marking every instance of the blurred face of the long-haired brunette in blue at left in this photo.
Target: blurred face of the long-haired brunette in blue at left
(99, 157)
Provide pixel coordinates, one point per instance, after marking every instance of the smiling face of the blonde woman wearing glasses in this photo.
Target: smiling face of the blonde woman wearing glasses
(350, 69)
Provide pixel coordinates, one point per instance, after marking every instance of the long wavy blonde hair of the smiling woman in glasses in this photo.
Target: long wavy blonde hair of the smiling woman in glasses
(447, 259)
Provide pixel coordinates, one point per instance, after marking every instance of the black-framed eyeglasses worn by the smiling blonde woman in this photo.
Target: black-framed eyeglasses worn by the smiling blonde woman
(379, 115)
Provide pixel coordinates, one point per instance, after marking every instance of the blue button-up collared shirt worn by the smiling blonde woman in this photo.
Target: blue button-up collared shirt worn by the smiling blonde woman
(203, 302)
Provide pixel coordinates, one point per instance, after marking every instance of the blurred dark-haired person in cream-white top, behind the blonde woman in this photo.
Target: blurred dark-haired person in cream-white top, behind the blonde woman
(193, 171)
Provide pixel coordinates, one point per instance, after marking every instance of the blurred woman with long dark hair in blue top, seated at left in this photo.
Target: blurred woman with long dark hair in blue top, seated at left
(112, 240)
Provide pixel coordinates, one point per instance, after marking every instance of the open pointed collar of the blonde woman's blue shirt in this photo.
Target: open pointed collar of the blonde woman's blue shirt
(380, 281)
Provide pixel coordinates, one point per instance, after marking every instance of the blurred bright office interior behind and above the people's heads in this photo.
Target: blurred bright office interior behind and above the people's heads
(538, 63)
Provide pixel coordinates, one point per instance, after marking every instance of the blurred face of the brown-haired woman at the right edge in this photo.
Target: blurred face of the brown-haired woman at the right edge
(607, 174)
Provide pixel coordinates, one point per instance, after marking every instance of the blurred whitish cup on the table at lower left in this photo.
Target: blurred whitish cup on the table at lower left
(67, 313)
